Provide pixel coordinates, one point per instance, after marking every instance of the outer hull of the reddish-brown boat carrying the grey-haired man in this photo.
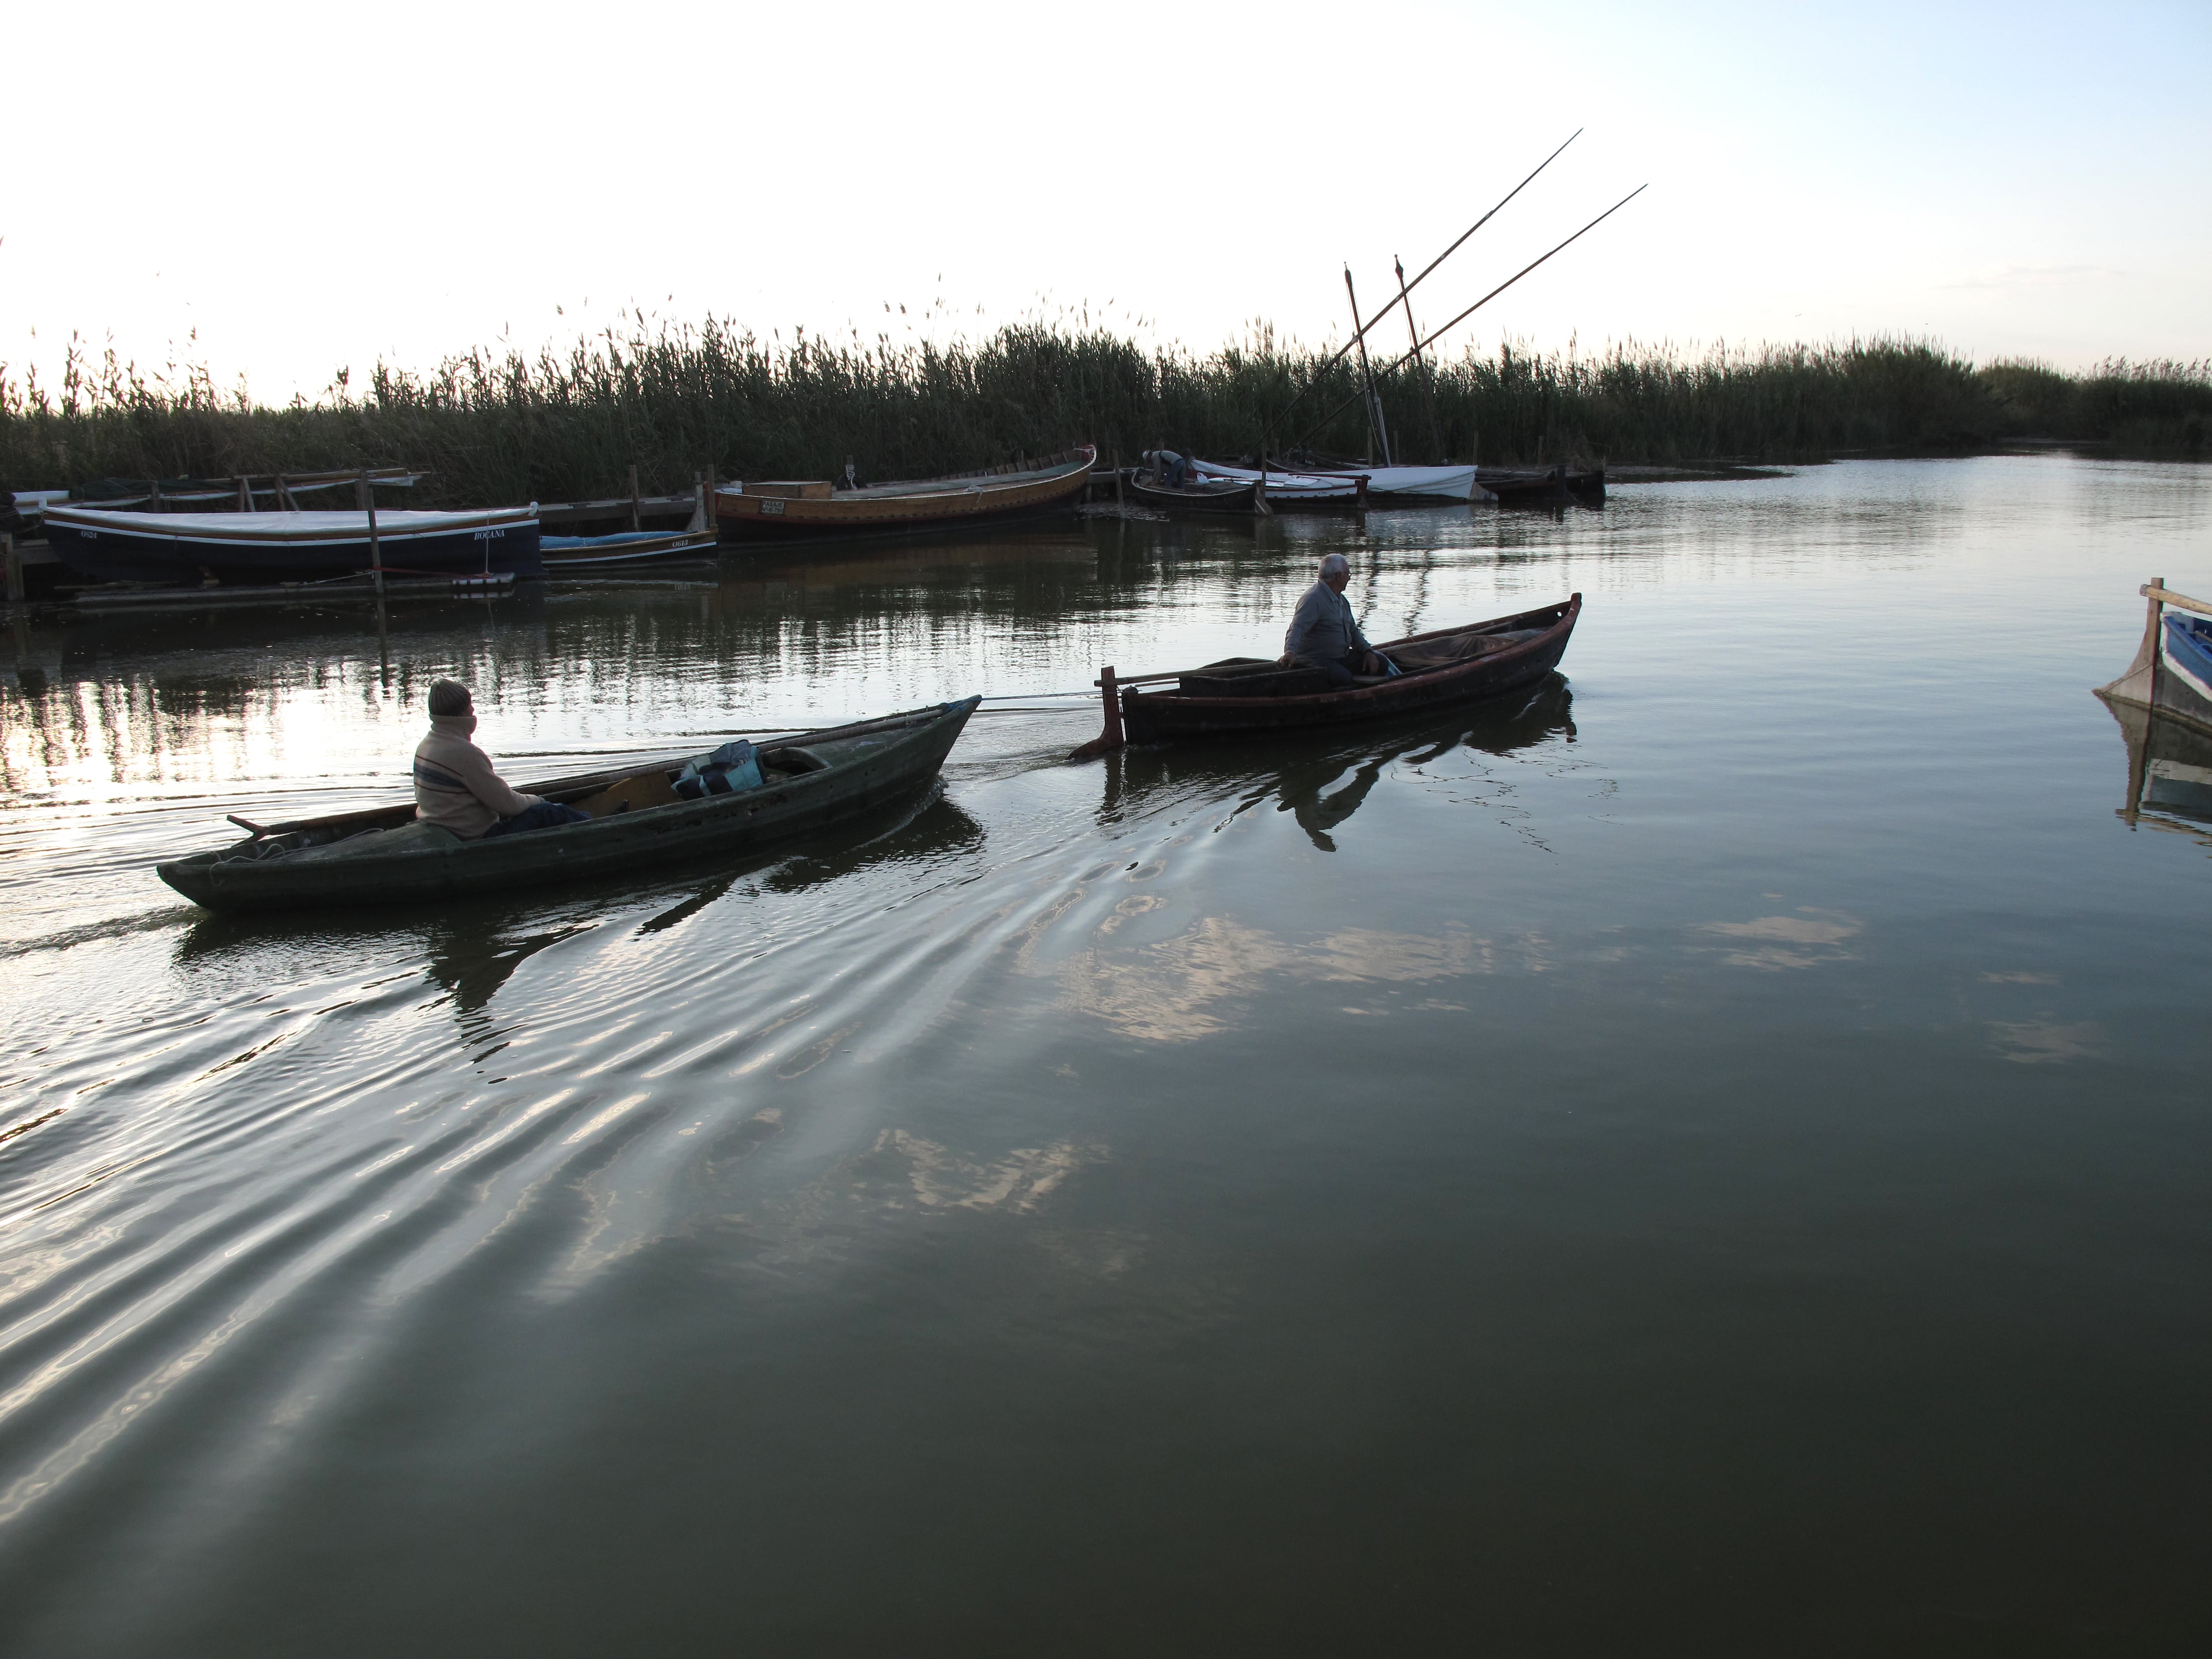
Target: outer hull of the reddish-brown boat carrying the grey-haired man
(1149, 718)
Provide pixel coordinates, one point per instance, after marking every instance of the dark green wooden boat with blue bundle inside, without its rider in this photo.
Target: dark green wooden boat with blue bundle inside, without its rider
(386, 857)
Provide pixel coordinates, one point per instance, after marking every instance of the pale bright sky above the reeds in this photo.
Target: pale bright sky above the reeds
(286, 191)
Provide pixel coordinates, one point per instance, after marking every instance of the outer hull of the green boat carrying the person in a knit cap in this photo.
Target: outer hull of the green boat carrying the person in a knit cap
(881, 773)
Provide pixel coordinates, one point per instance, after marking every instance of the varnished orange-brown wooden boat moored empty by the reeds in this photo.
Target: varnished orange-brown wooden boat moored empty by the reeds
(815, 512)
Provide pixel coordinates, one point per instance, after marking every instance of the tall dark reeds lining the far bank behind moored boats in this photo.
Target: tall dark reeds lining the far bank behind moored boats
(497, 428)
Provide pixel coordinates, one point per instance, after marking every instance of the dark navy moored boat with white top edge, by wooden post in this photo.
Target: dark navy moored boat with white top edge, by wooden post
(275, 547)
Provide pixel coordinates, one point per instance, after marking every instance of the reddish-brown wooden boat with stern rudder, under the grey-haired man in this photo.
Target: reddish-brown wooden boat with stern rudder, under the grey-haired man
(1439, 669)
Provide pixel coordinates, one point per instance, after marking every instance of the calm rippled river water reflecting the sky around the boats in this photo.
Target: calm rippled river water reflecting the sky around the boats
(1713, 1158)
